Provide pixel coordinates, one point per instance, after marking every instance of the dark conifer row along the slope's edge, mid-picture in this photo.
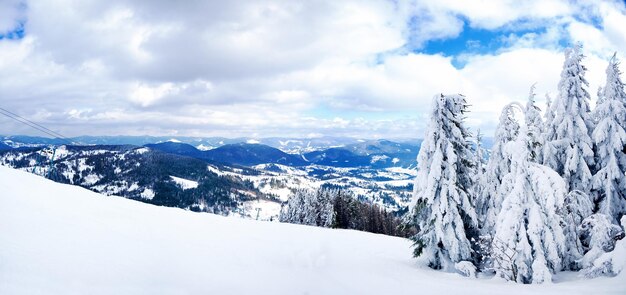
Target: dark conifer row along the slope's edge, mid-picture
(336, 208)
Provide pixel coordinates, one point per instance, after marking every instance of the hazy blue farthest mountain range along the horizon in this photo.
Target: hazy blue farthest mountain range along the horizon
(327, 151)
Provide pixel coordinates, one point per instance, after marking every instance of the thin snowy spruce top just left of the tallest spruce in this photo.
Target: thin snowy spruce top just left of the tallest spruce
(534, 124)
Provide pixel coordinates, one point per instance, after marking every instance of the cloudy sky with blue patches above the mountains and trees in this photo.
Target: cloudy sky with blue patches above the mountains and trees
(286, 68)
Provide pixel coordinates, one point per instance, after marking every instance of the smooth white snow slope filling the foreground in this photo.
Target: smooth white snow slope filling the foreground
(62, 239)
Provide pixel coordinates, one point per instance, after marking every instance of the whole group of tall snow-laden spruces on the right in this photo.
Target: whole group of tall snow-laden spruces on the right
(550, 197)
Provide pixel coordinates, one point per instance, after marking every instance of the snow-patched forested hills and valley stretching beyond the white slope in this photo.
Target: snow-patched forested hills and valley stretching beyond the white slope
(176, 174)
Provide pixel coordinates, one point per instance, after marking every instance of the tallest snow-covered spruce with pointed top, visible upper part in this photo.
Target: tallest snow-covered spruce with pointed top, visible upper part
(570, 150)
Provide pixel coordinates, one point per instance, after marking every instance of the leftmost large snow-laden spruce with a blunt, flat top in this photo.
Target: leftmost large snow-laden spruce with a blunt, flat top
(442, 208)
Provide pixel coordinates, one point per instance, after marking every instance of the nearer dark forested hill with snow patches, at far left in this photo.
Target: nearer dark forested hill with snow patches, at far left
(138, 173)
